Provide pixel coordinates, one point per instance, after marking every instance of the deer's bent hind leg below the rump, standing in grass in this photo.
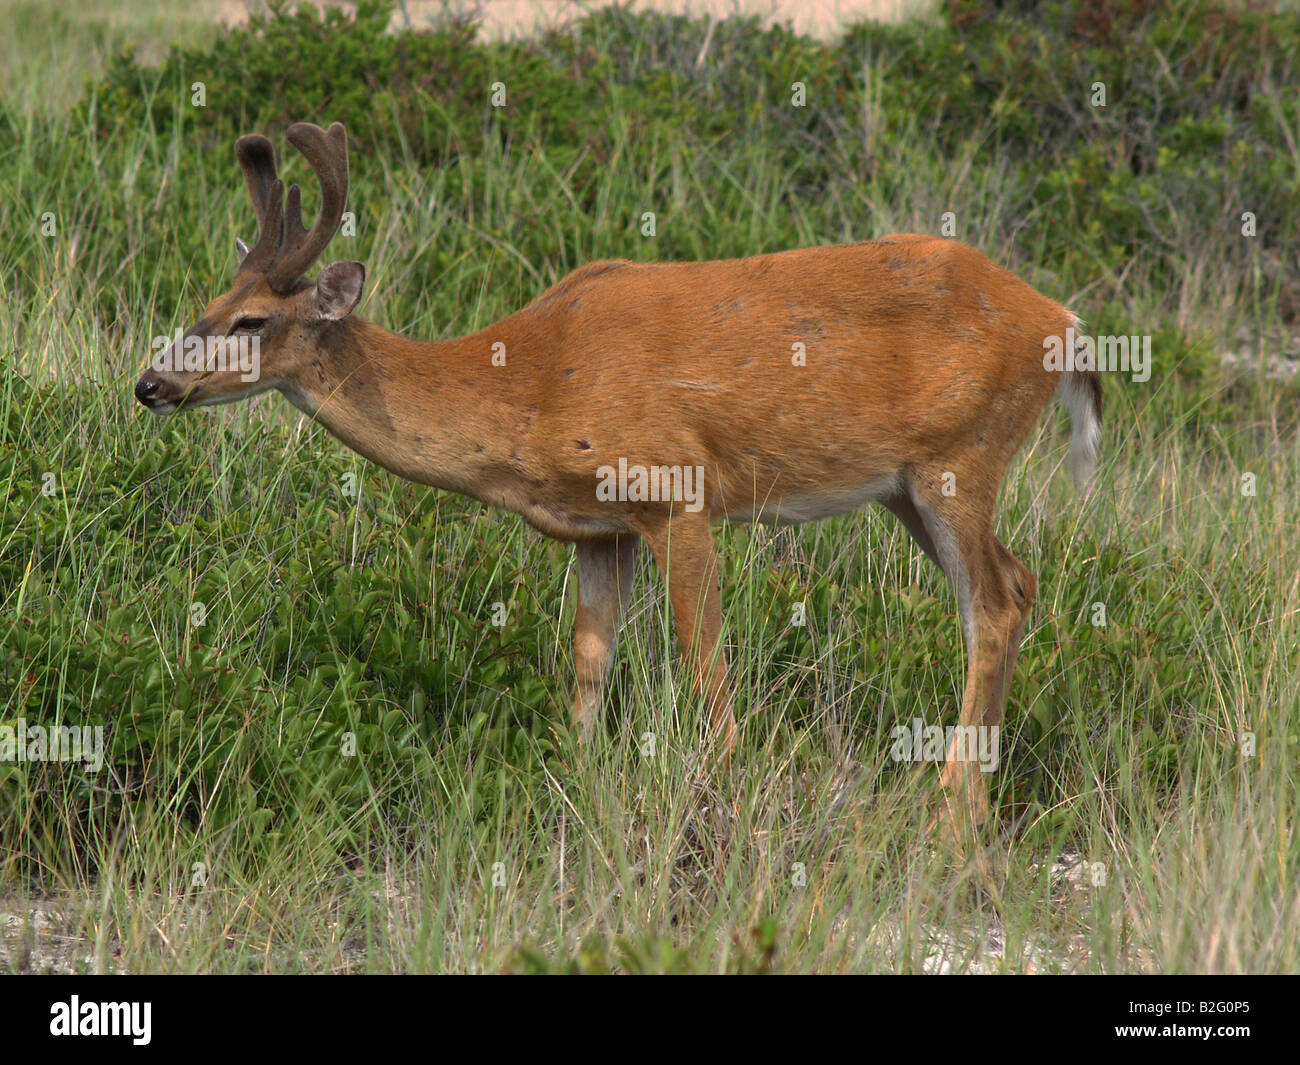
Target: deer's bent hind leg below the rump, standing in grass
(994, 595)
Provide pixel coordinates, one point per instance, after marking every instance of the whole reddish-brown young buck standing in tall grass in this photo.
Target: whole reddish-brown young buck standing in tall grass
(783, 388)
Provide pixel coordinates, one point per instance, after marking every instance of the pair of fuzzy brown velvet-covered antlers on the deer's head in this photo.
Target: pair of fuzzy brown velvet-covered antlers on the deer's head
(285, 248)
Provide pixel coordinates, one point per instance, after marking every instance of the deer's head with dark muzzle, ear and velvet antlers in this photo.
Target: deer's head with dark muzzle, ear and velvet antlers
(266, 331)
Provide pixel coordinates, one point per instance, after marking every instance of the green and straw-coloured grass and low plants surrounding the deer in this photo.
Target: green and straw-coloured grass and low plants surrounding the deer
(470, 833)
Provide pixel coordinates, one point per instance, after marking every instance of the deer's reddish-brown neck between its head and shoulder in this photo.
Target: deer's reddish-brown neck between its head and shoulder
(436, 413)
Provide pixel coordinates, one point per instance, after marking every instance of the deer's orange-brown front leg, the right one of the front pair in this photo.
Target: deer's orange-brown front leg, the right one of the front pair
(683, 547)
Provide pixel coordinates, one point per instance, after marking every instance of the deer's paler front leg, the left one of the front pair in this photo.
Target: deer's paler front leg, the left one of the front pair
(604, 588)
